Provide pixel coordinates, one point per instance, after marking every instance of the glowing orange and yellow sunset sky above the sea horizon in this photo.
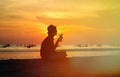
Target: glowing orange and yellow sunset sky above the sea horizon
(81, 21)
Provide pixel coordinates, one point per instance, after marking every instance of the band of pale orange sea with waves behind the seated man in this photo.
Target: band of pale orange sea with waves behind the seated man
(22, 52)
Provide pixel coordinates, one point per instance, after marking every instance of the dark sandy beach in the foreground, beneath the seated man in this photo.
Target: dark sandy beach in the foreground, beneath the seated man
(95, 66)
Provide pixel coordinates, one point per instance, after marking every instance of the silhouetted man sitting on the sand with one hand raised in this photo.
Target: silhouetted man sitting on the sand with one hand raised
(48, 47)
